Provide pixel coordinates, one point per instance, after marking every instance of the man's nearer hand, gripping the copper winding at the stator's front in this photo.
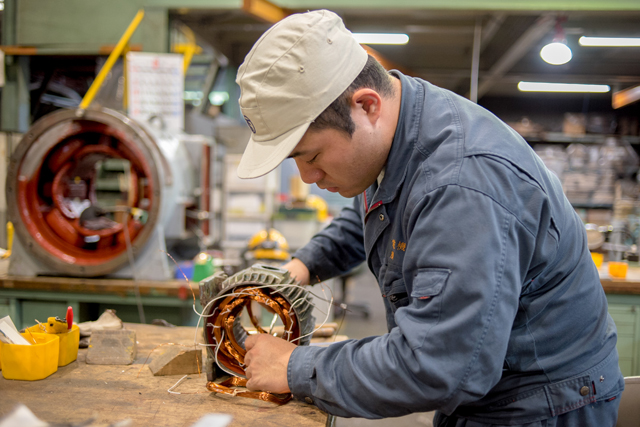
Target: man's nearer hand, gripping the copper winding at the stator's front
(266, 363)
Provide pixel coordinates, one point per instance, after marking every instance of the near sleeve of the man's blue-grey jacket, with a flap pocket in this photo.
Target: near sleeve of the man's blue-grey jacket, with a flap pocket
(462, 271)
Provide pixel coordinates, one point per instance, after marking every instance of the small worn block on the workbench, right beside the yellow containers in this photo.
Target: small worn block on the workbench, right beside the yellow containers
(112, 347)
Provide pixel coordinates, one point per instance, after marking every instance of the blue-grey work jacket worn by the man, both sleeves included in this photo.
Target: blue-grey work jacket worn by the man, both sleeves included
(494, 307)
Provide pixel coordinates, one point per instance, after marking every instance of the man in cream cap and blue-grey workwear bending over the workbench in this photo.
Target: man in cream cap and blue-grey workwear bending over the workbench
(495, 311)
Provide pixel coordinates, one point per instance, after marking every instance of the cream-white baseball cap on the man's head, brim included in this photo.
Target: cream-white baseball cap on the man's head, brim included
(291, 75)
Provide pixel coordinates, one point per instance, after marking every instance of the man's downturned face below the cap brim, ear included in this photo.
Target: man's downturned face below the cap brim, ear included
(333, 161)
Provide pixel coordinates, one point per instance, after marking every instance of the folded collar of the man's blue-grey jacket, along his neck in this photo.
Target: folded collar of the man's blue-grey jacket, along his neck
(404, 141)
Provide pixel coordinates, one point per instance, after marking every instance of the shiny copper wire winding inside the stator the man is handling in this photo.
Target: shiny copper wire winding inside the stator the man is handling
(229, 352)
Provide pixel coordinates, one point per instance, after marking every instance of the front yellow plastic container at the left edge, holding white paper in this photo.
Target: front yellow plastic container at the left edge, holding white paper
(31, 362)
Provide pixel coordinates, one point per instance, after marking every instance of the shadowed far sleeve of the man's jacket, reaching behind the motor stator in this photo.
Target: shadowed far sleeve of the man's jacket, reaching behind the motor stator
(336, 249)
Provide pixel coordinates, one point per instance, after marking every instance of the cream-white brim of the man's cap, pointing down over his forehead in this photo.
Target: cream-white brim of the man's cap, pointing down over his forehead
(261, 157)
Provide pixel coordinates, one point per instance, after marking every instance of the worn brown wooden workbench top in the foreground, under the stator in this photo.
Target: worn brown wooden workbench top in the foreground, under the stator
(113, 393)
